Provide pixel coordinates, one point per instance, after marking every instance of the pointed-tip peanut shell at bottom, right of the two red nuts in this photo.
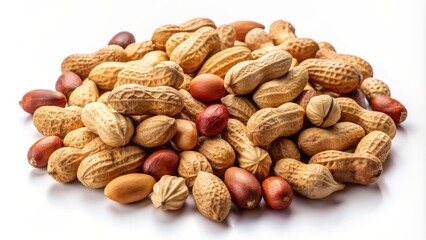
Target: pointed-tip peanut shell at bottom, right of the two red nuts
(310, 180)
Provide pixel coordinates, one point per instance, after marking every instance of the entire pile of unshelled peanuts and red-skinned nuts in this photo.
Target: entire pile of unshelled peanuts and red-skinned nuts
(231, 113)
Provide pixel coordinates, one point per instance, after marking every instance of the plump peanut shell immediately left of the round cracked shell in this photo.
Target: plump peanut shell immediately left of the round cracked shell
(268, 124)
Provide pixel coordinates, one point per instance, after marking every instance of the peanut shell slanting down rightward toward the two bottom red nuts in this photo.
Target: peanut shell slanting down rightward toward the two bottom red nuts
(253, 159)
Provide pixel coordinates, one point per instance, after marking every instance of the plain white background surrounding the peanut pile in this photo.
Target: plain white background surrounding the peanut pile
(37, 35)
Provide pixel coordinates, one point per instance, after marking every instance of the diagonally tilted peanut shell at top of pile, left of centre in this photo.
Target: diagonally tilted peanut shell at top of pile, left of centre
(191, 53)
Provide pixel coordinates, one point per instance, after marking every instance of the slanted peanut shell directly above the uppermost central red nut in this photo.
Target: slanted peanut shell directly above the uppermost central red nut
(220, 63)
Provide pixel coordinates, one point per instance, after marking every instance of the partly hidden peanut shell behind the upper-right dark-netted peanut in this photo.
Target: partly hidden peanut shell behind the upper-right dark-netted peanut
(363, 66)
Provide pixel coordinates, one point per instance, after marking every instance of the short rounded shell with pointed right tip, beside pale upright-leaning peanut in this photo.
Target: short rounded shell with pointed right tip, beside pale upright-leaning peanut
(155, 131)
